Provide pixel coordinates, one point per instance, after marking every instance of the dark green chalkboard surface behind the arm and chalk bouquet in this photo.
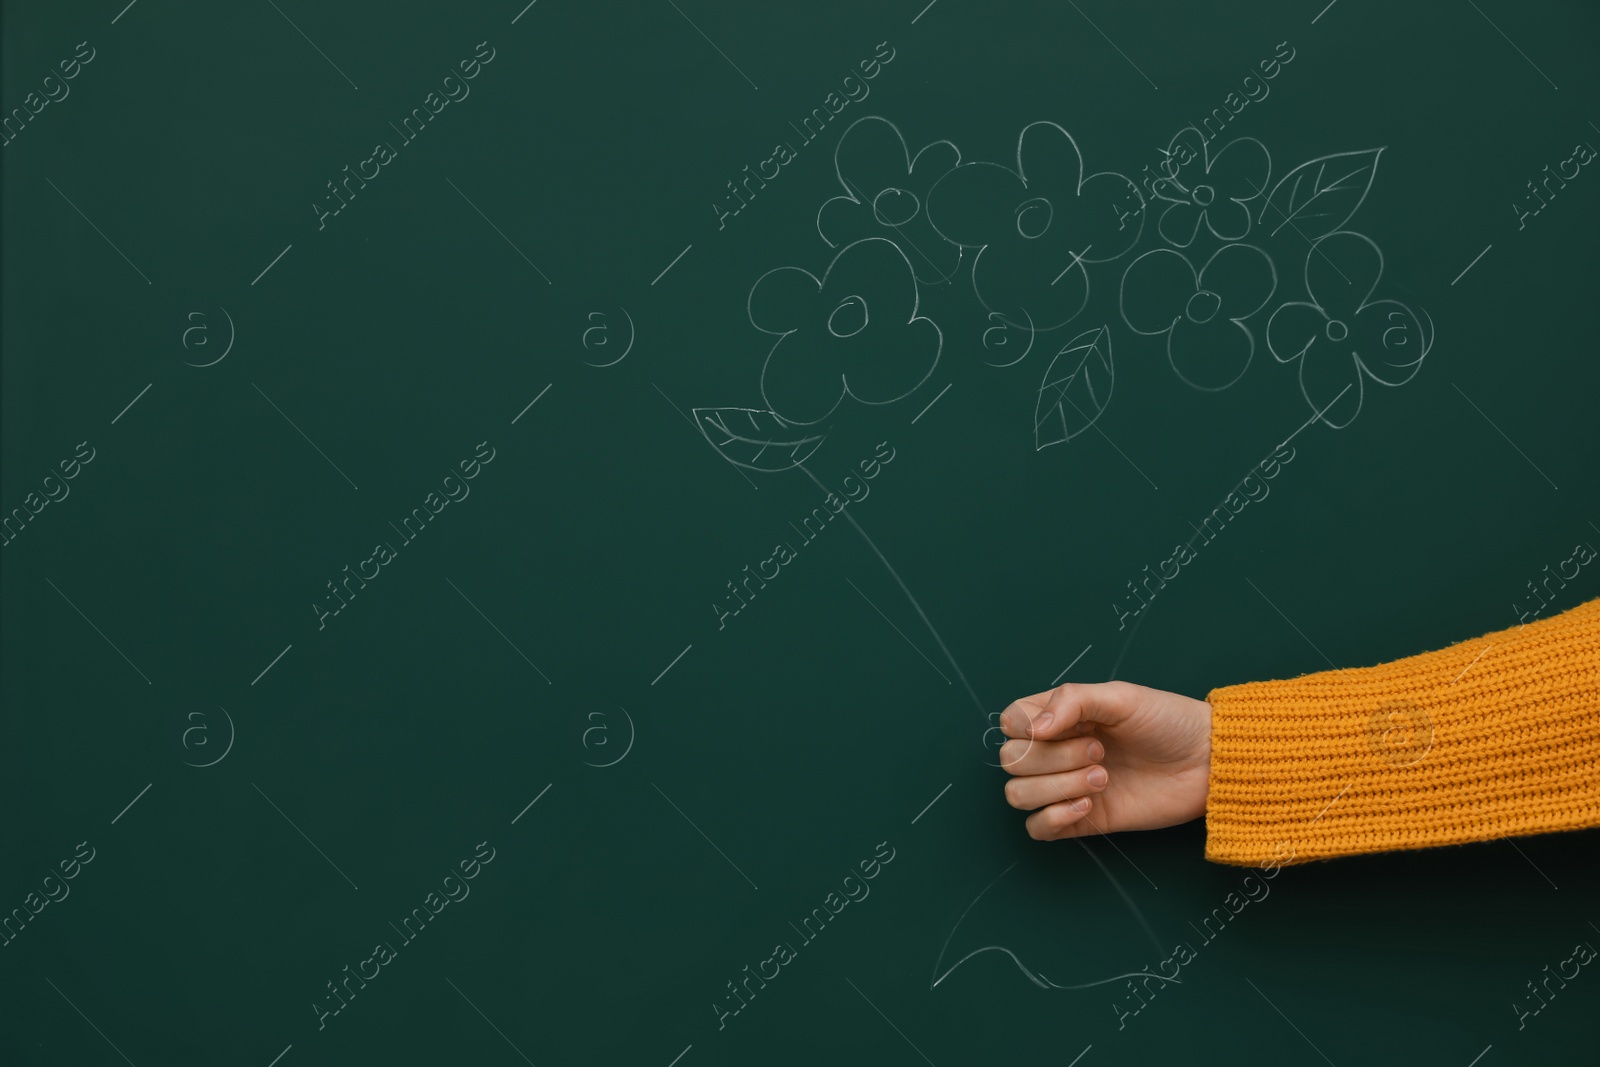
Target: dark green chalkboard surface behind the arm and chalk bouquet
(783, 749)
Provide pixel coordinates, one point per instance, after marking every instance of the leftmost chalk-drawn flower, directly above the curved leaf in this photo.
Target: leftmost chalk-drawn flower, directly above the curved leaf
(852, 334)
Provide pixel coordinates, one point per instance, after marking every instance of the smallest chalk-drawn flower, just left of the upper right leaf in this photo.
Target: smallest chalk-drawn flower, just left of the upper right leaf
(1210, 188)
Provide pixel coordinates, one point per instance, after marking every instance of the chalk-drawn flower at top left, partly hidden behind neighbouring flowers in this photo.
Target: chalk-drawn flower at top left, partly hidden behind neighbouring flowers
(887, 194)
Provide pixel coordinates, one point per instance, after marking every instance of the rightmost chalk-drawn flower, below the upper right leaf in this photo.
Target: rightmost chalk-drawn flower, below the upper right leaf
(1342, 335)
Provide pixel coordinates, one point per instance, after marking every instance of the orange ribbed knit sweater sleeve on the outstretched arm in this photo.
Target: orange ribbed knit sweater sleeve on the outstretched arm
(1482, 740)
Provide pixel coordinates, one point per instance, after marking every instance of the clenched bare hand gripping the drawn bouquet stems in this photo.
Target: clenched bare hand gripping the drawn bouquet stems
(1098, 759)
